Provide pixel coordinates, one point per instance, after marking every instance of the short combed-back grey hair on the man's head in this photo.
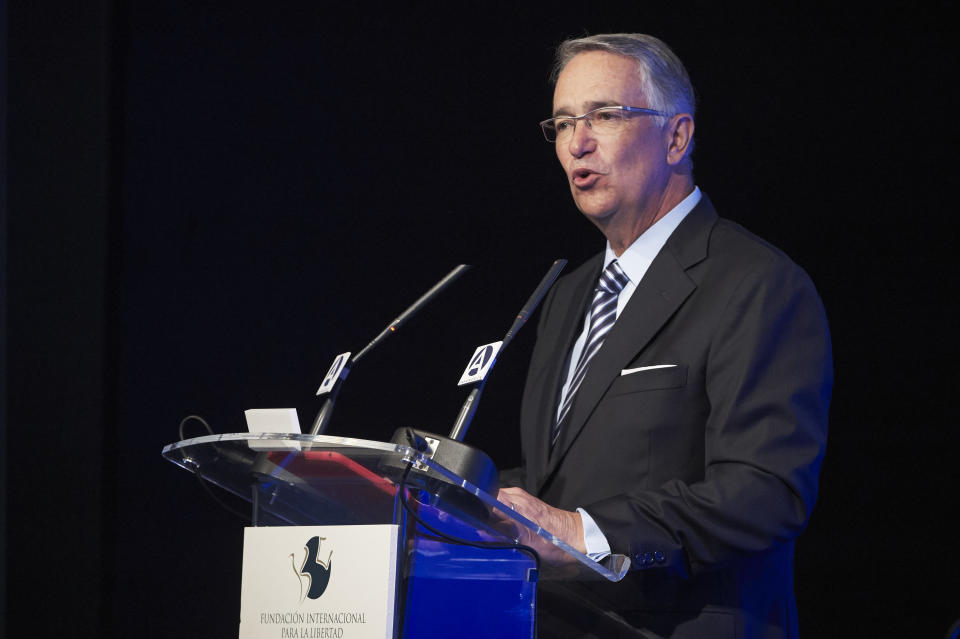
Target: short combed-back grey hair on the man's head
(663, 77)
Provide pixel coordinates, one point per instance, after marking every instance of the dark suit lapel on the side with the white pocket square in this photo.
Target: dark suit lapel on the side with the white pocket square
(663, 289)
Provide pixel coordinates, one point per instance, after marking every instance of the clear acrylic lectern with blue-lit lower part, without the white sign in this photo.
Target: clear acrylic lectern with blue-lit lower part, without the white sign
(446, 588)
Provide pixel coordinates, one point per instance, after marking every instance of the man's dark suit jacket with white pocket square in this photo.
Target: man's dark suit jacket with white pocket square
(705, 472)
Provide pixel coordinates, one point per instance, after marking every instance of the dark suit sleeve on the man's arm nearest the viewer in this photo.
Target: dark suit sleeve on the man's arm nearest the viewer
(767, 378)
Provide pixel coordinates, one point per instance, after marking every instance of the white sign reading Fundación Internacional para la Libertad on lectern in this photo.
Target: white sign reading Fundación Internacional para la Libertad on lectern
(318, 582)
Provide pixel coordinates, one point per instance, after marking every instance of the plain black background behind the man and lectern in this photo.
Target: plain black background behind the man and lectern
(208, 201)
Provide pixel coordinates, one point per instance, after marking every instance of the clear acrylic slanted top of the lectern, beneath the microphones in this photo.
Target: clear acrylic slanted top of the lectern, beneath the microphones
(301, 479)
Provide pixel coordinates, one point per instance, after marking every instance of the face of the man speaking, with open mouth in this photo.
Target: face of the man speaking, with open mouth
(614, 178)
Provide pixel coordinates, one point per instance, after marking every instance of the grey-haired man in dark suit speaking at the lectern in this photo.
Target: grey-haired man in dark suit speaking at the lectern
(675, 409)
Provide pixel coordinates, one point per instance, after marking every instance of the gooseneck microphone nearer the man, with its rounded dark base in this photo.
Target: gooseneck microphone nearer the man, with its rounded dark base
(450, 452)
